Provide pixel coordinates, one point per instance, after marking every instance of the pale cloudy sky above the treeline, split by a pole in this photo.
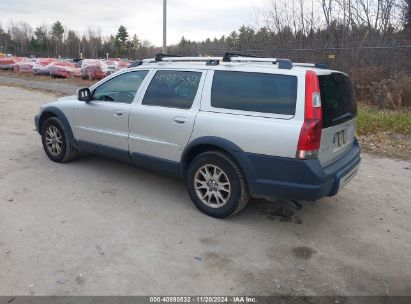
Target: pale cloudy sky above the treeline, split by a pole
(195, 20)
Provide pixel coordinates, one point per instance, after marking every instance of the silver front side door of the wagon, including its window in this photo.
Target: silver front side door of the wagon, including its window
(101, 124)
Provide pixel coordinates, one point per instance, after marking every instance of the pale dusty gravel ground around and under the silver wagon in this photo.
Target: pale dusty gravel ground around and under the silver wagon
(101, 227)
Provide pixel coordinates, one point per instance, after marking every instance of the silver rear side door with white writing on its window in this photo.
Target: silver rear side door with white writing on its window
(162, 123)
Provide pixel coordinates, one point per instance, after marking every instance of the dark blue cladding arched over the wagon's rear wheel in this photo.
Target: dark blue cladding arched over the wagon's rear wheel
(209, 143)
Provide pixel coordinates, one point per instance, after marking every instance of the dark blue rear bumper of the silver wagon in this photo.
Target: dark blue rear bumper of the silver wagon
(276, 177)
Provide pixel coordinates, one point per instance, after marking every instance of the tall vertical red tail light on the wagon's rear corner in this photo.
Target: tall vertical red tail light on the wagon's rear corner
(310, 136)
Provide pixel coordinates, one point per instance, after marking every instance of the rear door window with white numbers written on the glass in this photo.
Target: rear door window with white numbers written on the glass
(172, 89)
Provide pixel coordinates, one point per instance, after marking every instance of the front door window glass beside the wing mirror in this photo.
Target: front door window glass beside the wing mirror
(122, 88)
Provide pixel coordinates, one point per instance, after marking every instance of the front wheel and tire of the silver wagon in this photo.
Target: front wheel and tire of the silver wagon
(53, 135)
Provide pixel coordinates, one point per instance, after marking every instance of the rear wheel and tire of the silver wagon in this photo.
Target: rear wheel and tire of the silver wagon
(233, 197)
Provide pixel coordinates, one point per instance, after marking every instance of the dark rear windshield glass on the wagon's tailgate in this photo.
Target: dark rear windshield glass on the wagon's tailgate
(337, 99)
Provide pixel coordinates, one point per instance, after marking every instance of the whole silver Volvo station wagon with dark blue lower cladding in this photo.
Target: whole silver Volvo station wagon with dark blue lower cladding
(232, 127)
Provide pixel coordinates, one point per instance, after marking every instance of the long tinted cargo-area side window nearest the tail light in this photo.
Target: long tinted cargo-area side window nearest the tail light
(255, 92)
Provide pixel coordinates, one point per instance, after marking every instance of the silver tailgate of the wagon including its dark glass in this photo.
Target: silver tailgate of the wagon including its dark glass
(339, 112)
